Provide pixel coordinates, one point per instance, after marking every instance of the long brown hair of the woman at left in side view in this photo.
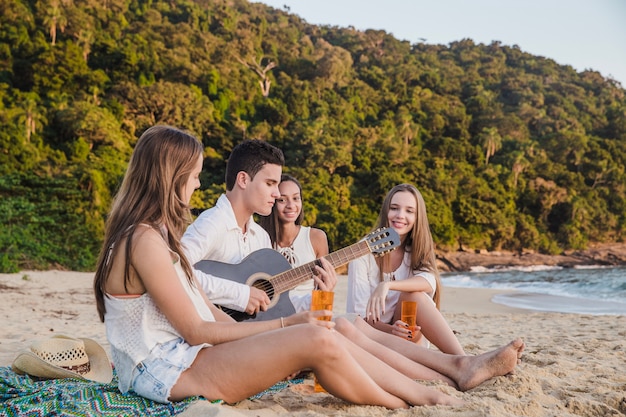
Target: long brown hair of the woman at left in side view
(151, 193)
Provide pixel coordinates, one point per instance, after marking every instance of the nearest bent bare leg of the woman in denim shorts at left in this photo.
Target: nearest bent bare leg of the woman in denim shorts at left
(236, 370)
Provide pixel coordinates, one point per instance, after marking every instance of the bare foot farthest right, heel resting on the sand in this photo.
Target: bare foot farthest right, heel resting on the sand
(477, 369)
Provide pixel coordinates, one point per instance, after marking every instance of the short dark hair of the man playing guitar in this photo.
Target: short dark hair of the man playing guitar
(250, 156)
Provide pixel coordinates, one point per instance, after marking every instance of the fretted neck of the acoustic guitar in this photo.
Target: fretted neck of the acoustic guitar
(290, 279)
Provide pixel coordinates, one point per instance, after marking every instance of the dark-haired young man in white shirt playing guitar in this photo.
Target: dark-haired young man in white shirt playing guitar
(228, 233)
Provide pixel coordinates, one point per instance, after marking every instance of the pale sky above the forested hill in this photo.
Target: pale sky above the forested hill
(586, 34)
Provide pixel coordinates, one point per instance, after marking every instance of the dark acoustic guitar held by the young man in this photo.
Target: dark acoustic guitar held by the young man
(269, 271)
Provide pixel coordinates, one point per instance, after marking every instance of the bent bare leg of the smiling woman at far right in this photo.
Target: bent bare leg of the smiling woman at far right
(433, 325)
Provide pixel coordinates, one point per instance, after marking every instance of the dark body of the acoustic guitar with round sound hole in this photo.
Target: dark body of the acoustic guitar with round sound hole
(255, 270)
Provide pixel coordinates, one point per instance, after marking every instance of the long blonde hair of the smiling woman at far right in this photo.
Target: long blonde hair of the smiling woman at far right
(419, 242)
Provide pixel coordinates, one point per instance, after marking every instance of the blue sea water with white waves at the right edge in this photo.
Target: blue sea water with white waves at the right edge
(584, 290)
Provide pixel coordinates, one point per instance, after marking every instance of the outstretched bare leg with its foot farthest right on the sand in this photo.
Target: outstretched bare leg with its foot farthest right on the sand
(467, 371)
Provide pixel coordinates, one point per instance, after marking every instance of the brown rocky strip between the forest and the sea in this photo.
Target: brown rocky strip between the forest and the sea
(599, 254)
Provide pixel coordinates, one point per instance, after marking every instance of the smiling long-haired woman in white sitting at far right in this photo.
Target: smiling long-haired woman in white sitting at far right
(377, 286)
